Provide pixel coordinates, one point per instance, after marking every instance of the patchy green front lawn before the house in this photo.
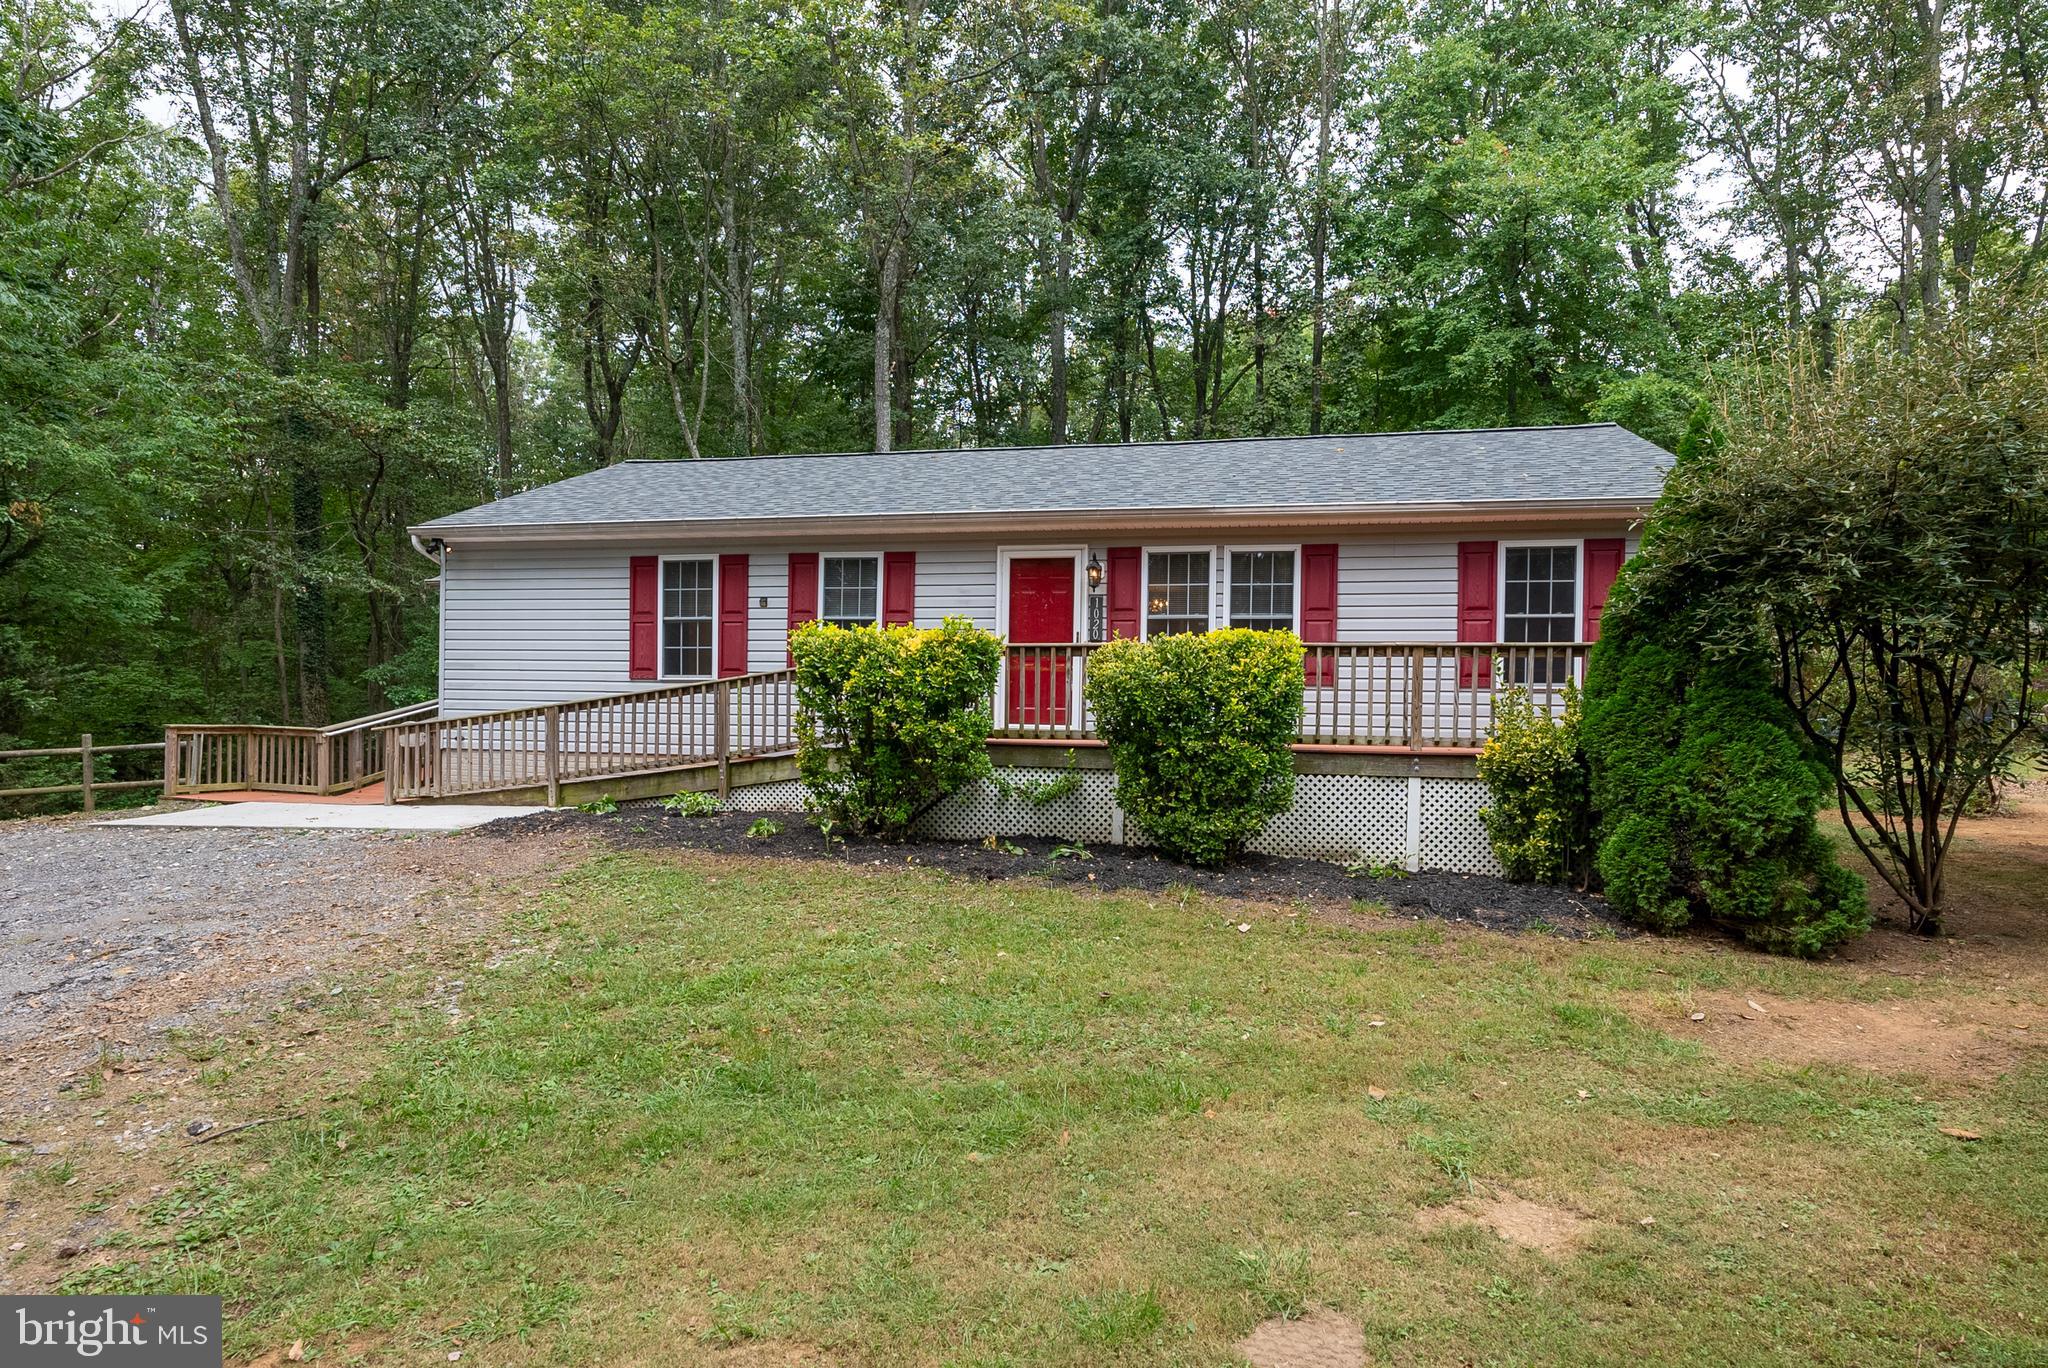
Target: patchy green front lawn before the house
(787, 1111)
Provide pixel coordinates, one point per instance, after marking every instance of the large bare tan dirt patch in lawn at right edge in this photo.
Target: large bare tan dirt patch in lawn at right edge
(1967, 1041)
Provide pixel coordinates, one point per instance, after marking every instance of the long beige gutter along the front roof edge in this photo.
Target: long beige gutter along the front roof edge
(1451, 513)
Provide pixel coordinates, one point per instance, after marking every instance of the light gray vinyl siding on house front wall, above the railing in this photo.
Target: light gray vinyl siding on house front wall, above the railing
(525, 628)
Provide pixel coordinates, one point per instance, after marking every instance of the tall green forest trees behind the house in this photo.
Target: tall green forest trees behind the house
(284, 277)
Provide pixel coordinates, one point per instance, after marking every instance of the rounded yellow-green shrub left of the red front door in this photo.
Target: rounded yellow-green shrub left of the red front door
(892, 720)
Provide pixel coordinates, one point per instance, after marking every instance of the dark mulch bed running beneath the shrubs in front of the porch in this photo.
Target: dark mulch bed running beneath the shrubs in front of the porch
(1480, 900)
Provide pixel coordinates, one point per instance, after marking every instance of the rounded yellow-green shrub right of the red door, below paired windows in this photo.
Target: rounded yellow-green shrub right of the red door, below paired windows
(1199, 728)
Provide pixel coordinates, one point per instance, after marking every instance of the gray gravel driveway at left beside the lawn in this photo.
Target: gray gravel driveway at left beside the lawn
(114, 935)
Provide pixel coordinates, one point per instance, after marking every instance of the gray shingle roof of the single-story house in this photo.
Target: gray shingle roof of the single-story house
(1496, 466)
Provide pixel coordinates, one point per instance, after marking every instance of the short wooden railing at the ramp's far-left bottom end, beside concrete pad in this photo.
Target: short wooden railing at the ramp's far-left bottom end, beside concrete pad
(321, 761)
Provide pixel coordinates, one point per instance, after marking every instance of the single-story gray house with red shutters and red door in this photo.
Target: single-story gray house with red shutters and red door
(1426, 570)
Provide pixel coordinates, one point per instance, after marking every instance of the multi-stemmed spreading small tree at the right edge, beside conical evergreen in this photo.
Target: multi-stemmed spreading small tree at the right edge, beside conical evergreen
(1883, 519)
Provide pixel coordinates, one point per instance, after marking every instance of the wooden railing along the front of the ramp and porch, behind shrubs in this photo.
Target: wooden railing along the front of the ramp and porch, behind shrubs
(1426, 697)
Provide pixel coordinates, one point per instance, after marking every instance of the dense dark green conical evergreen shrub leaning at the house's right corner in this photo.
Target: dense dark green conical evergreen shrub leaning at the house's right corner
(1705, 798)
